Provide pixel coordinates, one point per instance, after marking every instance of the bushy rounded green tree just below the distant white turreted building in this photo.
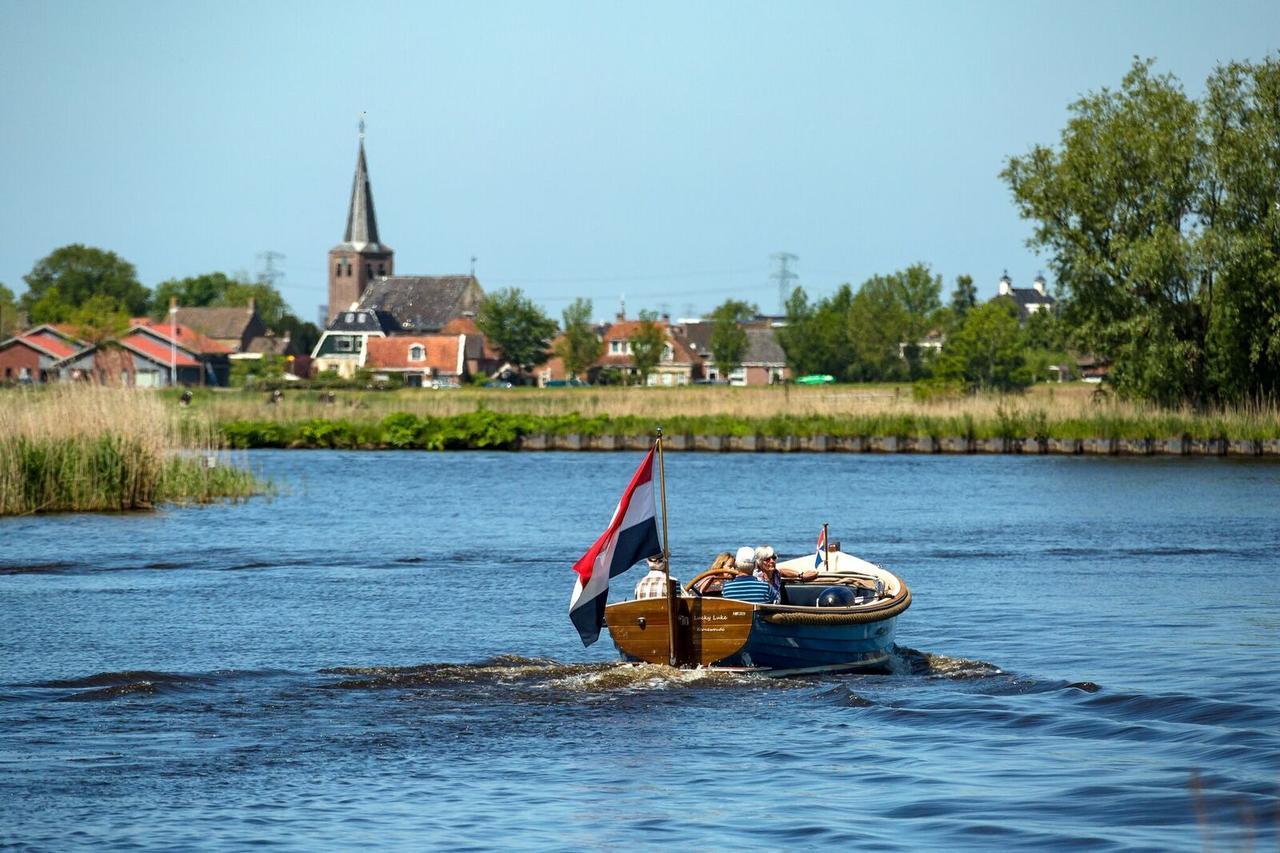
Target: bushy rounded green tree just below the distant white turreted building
(988, 353)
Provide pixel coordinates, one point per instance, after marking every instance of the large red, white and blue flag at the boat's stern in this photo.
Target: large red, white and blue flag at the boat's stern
(632, 536)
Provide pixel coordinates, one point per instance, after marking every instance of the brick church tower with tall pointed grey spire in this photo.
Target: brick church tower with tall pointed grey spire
(359, 259)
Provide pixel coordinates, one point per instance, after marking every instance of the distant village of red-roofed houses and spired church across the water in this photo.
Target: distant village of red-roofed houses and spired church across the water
(414, 331)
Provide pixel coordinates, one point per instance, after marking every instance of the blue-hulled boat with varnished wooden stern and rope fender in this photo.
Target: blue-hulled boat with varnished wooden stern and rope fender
(808, 632)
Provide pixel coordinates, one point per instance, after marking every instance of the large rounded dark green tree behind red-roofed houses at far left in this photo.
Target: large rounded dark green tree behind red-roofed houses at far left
(68, 277)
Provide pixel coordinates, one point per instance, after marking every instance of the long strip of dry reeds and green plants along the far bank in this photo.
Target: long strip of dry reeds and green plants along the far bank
(1067, 412)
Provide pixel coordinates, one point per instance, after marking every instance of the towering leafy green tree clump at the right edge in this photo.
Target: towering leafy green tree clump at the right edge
(1163, 217)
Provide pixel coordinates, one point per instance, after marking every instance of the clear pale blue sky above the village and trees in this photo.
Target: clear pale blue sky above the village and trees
(660, 153)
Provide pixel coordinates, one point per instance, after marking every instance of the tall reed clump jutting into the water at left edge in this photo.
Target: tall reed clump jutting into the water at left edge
(85, 450)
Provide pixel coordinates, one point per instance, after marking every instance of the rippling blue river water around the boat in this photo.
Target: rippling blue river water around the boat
(382, 656)
